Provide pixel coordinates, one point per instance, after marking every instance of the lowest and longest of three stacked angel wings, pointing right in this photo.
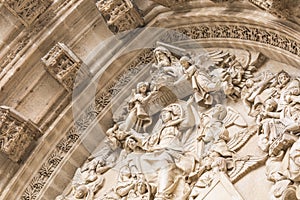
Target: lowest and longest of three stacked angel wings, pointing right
(243, 165)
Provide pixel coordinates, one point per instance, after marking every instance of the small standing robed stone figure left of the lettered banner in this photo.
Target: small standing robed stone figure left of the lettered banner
(138, 117)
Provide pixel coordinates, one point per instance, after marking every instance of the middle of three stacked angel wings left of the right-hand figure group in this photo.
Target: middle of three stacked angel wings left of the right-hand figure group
(241, 137)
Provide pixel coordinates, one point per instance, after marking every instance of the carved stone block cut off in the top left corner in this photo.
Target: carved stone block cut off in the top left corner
(27, 10)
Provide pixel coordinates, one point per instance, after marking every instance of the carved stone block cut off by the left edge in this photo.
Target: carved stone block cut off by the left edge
(17, 133)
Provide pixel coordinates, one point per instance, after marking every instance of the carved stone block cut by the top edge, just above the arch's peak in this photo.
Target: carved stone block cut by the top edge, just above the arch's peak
(120, 15)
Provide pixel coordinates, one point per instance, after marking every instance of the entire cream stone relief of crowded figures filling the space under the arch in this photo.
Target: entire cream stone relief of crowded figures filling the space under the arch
(189, 145)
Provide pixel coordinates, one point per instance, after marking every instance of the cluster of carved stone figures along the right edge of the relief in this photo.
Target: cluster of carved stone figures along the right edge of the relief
(274, 101)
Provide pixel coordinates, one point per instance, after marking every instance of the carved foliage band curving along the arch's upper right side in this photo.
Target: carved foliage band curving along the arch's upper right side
(233, 31)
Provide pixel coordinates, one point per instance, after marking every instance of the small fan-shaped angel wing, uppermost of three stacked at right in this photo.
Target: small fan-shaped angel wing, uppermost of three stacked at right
(234, 118)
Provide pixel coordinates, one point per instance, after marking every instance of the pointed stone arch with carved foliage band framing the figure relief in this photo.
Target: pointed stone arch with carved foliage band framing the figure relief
(62, 157)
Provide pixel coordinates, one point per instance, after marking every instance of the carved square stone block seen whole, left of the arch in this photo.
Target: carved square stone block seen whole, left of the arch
(65, 66)
